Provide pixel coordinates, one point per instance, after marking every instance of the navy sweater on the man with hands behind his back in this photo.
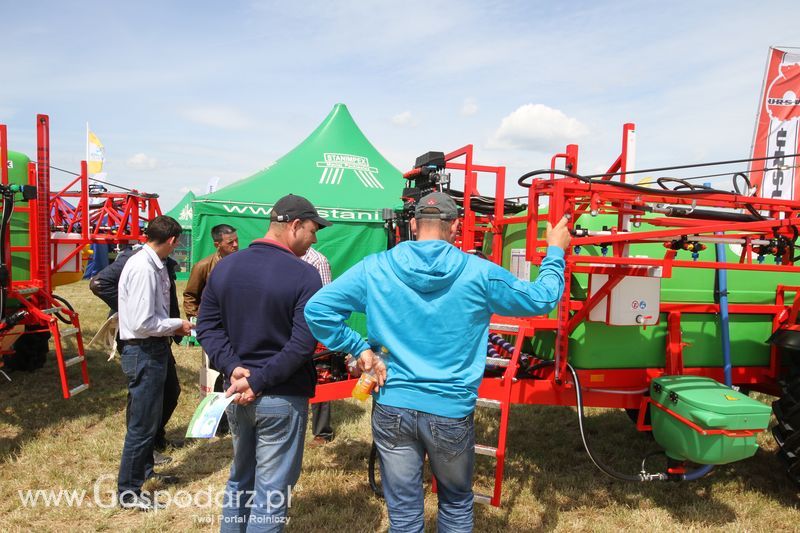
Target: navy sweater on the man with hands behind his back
(251, 315)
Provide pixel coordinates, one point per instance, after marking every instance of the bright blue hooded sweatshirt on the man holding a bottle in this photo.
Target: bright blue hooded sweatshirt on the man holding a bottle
(429, 304)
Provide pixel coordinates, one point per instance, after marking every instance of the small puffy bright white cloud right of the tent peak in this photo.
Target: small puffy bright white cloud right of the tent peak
(537, 127)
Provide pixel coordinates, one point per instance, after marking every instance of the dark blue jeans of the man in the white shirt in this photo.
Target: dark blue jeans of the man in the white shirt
(145, 366)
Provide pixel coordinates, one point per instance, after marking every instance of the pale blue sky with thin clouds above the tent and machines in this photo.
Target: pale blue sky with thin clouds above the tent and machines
(182, 92)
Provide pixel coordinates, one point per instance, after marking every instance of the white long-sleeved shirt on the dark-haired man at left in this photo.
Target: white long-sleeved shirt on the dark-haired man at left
(144, 298)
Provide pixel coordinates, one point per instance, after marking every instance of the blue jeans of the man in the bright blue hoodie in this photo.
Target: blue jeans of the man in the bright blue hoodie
(403, 437)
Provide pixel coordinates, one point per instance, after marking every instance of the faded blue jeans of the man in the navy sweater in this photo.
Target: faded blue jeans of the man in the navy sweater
(268, 440)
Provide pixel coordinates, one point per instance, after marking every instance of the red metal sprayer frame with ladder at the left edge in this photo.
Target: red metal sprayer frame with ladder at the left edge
(75, 212)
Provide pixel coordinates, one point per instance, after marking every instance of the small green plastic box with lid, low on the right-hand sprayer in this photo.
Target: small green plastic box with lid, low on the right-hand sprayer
(711, 406)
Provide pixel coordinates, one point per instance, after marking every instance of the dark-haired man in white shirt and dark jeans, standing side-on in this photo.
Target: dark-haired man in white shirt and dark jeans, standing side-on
(144, 329)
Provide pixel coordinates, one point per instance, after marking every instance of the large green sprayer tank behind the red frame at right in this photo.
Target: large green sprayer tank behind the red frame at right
(596, 345)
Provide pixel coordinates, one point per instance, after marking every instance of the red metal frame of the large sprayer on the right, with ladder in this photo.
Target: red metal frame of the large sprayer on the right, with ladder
(564, 192)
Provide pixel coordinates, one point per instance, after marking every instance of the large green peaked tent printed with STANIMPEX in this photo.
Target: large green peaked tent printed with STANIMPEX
(337, 169)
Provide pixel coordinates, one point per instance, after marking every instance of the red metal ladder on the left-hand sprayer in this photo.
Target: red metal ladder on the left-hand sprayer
(44, 308)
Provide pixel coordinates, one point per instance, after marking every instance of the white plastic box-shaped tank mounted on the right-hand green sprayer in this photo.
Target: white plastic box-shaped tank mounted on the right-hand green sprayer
(634, 301)
